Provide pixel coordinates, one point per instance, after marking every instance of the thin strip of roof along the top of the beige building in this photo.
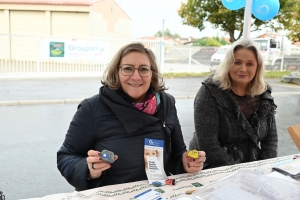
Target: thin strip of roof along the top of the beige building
(51, 2)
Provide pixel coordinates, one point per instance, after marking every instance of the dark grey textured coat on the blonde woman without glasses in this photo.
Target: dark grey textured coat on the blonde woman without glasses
(223, 132)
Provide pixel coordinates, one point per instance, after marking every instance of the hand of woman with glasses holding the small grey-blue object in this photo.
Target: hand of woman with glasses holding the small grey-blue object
(99, 164)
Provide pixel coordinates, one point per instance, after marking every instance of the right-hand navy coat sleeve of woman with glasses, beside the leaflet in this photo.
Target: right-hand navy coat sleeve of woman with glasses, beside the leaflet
(178, 147)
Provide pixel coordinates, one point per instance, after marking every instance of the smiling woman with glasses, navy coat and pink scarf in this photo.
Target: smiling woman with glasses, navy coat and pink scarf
(131, 108)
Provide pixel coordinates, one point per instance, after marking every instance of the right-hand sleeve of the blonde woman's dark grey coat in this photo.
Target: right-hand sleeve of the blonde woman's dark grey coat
(270, 143)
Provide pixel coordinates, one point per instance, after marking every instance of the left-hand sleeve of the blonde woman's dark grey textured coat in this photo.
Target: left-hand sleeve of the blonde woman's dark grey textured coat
(206, 119)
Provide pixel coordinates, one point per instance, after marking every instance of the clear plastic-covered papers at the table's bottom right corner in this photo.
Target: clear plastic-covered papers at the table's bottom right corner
(248, 184)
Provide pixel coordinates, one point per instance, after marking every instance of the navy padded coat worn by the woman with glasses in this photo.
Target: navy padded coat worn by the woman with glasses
(108, 121)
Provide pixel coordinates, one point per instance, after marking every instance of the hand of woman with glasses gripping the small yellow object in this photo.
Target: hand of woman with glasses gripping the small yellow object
(193, 165)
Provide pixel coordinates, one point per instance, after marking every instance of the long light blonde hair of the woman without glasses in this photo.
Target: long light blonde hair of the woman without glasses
(221, 77)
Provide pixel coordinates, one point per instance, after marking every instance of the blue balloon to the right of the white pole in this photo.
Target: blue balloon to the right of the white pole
(265, 9)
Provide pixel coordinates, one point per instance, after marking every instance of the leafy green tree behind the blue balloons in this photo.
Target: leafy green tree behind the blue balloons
(196, 12)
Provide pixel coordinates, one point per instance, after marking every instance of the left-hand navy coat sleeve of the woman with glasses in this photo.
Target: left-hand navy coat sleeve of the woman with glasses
(71, 157)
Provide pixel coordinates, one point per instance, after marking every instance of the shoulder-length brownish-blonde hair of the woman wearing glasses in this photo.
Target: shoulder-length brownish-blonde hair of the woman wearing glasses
(111, 76)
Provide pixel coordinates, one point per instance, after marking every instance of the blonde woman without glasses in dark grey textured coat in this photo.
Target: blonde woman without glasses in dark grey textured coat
(234, 111)
